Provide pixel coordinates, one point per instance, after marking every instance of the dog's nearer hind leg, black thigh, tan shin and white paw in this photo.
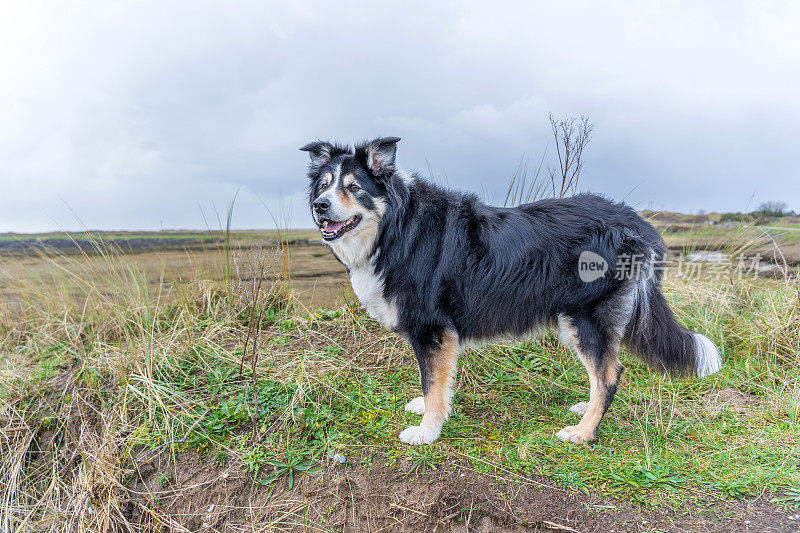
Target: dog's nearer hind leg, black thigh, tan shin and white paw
(598, 350)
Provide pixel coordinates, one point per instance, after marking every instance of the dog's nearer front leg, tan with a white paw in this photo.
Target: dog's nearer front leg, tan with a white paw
(437, 358)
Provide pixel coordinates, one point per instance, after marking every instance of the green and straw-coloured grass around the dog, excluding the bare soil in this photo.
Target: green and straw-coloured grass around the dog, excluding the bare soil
(165, 373)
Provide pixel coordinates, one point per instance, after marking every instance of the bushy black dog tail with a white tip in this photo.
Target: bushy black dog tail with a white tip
(660, 341)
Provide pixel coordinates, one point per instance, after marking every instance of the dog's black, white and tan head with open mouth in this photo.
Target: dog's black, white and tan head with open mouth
(349, 190)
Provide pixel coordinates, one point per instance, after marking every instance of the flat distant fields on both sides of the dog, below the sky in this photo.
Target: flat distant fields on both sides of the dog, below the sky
(166, 257)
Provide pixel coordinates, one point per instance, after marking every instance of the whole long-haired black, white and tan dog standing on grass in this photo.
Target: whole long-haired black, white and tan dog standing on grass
(447, 270)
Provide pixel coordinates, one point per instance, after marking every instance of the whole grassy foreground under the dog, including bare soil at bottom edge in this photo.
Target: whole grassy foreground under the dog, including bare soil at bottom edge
(188, 391)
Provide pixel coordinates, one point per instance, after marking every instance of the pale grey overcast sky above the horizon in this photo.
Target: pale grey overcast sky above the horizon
(143, 115)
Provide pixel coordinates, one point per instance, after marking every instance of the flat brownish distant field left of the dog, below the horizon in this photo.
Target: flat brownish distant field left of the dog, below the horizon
(167, 257)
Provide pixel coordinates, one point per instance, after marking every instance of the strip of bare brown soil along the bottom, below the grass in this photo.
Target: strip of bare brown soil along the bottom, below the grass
(186, 493)
